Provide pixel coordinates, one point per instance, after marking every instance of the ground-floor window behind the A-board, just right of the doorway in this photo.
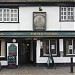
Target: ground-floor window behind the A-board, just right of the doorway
(48, 46)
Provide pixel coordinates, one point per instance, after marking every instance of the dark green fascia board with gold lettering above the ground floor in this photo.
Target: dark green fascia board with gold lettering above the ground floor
(59, 34)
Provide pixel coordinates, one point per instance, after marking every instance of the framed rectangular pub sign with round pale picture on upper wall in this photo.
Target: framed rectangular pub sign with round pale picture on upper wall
(39, 21)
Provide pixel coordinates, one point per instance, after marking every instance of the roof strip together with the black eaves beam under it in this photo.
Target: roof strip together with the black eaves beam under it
(6, 3)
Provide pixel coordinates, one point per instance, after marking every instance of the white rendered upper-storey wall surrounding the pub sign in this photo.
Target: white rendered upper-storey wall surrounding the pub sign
(26, 20)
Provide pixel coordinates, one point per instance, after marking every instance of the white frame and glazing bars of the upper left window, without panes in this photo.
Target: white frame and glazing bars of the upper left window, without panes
(9, 14)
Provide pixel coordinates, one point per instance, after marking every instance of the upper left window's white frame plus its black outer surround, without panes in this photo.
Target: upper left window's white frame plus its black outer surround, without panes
(15, 8)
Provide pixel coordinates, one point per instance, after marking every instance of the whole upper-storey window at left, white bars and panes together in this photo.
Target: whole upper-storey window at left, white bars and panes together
(8, 15)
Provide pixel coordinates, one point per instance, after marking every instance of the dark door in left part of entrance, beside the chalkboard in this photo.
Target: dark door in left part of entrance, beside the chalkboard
(24, 52)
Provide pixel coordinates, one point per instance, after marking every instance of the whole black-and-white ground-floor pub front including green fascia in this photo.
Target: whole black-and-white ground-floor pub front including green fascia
(29, 47)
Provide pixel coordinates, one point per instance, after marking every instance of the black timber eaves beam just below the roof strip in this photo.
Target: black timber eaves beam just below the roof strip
(37, 4)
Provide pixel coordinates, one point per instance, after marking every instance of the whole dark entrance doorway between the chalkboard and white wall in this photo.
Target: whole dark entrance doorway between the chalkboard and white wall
(27, 52)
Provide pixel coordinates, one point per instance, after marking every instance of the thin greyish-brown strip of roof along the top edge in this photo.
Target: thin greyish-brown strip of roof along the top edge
(37, 0)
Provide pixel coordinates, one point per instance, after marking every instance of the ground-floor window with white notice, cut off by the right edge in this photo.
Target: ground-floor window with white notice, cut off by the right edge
(70, 47)
